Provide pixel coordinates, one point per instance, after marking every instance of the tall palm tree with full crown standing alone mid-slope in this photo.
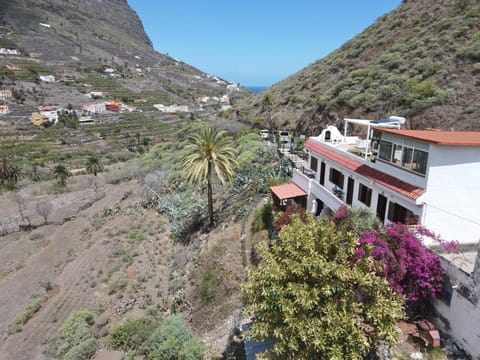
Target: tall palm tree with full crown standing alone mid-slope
(211, 151)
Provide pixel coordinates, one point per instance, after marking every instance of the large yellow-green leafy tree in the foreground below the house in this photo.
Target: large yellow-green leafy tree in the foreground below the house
(315, 299)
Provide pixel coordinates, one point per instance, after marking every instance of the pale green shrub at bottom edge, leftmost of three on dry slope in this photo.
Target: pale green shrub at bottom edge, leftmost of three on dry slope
(77, 337)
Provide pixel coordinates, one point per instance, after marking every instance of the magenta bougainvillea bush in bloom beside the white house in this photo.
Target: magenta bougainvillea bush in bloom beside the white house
(411, 269)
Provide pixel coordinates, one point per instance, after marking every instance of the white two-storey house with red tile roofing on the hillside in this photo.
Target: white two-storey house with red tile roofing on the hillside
(426, 177)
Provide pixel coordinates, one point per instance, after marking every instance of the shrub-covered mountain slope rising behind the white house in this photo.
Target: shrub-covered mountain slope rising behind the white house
(421, 61)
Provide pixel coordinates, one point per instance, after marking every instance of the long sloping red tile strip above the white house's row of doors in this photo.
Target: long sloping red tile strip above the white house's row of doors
(389, 181)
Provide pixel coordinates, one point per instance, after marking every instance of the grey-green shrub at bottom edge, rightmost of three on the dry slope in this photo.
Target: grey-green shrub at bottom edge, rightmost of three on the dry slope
(172, 340)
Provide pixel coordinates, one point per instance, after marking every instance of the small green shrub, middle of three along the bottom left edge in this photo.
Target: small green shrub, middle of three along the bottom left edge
(130, 334)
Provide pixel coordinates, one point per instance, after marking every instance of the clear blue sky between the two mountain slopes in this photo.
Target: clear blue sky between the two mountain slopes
(255, 42)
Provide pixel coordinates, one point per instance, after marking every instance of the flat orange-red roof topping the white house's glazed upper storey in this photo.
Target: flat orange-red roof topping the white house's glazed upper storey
(459, 138)
